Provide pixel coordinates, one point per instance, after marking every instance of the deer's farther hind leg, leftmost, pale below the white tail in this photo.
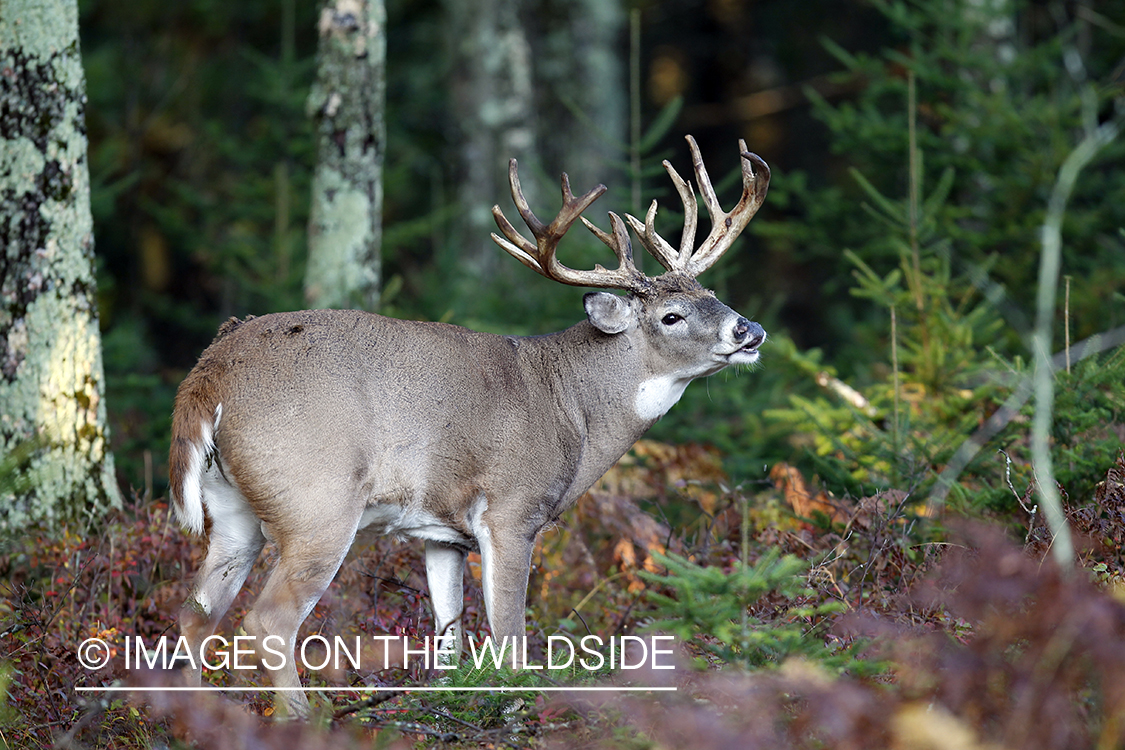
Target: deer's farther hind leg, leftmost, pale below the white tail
(236, 543)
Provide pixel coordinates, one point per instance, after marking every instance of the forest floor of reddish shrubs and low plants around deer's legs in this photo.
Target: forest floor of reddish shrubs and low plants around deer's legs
(886, 630)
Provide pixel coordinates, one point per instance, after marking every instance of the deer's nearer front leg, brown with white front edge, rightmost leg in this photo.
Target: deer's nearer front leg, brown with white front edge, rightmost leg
(506, 563)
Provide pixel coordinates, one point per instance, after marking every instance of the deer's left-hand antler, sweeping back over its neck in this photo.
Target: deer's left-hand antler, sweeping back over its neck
(542, 255)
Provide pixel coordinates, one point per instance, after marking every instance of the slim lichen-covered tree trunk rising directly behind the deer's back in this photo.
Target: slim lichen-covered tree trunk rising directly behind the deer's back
(348, 103)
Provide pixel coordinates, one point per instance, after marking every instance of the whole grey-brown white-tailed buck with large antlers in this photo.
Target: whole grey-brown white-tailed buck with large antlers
(307, 428)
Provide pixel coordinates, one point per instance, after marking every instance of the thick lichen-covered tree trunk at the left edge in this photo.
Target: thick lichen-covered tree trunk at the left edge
(57, 460)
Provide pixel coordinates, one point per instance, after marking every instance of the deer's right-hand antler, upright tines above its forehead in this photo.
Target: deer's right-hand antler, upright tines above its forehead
(725, 228)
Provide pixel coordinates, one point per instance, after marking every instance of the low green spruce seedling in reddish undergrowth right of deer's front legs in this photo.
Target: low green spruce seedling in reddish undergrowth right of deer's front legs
(709, 608)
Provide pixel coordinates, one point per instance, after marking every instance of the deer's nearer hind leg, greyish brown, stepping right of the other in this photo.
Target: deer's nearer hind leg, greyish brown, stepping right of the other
(311, 555)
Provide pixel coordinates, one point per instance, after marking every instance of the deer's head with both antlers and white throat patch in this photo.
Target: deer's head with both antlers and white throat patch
(674, 311)
